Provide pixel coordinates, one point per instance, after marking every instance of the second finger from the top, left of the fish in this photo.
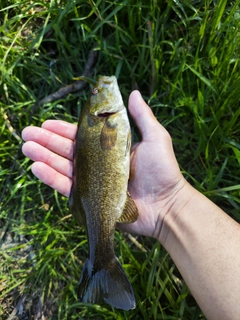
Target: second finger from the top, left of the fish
(54, 142)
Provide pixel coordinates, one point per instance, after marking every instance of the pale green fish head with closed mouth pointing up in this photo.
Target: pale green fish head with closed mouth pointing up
(106, 99)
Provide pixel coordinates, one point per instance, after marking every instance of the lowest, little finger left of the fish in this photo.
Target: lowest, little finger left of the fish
(52, 178)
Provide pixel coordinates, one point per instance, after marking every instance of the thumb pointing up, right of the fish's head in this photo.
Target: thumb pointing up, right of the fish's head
(144, 117)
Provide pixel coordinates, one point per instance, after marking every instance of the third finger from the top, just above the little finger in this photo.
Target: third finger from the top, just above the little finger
(36, 152)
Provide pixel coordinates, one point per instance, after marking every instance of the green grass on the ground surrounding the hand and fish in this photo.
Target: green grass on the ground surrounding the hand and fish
(184, 58)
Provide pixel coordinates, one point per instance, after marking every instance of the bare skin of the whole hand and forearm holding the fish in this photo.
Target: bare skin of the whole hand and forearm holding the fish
(203, 241)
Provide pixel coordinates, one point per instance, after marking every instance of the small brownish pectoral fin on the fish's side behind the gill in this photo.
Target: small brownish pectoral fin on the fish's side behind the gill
(108, 136)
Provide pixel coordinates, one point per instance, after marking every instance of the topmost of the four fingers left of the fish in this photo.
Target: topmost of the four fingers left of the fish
(62, 128)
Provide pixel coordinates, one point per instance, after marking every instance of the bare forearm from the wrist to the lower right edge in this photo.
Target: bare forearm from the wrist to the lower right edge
(204, 243)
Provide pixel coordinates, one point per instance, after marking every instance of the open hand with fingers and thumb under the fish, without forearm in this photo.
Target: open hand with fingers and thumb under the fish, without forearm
(155, 176)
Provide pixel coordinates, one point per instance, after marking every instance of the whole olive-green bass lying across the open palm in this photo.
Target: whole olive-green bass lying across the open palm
(99, 196)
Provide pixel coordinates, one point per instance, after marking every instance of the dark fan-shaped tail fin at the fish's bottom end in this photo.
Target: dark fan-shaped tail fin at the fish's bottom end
(109, 284)
